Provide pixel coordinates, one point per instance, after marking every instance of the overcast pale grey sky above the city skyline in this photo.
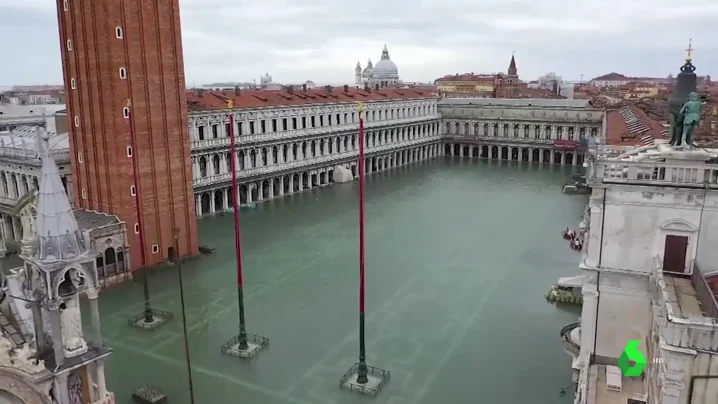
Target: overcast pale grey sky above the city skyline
(321, 40)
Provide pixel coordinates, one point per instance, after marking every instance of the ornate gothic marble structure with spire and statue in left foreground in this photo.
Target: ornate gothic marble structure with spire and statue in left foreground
(45, 356)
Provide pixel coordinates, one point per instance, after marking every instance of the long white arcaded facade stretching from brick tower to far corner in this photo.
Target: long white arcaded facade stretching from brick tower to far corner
(286, 150)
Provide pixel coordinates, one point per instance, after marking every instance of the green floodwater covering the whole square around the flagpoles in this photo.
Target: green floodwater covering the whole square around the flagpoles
(459, 256)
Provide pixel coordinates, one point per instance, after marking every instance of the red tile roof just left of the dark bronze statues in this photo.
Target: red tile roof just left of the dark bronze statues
(631, 126)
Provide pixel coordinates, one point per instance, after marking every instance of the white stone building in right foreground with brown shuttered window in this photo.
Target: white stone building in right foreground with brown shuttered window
(649, 259)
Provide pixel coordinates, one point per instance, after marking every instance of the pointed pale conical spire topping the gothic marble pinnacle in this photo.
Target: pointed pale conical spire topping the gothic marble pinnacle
(58, 235)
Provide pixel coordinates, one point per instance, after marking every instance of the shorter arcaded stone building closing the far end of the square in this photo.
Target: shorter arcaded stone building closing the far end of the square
(536, 130)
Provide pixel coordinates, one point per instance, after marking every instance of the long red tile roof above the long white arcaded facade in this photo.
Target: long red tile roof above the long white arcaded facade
(203, 100)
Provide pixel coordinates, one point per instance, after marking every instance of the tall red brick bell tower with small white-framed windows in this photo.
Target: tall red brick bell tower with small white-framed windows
(127, 111)
